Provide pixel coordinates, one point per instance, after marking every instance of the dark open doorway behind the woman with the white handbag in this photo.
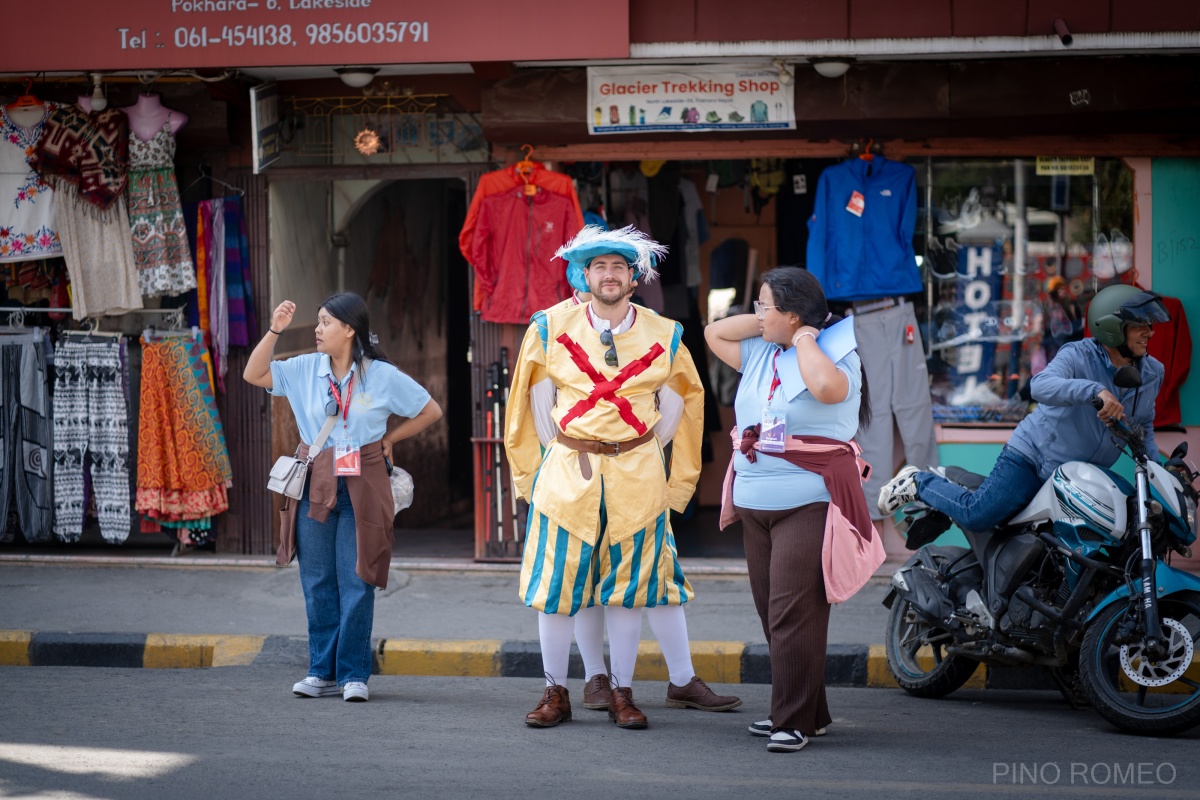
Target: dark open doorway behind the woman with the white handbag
(393, 243)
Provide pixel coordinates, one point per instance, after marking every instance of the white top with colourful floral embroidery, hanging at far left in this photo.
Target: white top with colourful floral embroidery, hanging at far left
(27, 202)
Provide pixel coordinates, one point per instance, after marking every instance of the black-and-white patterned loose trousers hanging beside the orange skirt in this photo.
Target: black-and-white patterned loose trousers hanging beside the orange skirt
(92, 428)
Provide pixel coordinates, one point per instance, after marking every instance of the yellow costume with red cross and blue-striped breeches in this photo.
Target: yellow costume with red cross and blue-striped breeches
(607, 540)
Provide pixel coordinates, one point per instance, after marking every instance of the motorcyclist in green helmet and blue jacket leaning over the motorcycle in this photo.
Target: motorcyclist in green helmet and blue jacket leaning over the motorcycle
(1065, 426)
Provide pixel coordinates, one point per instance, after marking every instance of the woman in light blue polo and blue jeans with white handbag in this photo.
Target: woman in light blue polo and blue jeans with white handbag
(341, 527)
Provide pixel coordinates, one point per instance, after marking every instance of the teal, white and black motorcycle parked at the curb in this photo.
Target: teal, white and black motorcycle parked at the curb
(1077, 582)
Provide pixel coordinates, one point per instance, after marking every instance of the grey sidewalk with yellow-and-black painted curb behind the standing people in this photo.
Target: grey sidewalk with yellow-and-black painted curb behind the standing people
(447, 617)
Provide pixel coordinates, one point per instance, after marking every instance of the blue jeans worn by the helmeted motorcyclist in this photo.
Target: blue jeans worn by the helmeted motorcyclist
(1009, 489)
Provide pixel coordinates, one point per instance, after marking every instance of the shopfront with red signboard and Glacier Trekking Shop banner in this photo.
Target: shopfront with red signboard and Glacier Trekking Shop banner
(1030, 163)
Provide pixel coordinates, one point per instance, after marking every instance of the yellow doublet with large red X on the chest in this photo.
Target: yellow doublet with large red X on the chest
(634, 484)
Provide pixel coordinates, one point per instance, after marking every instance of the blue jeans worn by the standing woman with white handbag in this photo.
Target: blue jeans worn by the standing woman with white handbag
(340, 604)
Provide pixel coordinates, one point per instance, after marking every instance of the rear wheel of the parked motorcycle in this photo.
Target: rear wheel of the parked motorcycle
(917, 654)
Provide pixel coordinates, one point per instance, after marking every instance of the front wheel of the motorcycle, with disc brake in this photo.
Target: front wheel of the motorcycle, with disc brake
(1138, 695)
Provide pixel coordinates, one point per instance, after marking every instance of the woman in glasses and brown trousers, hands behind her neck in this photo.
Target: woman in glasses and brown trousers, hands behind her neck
(796, 405)
